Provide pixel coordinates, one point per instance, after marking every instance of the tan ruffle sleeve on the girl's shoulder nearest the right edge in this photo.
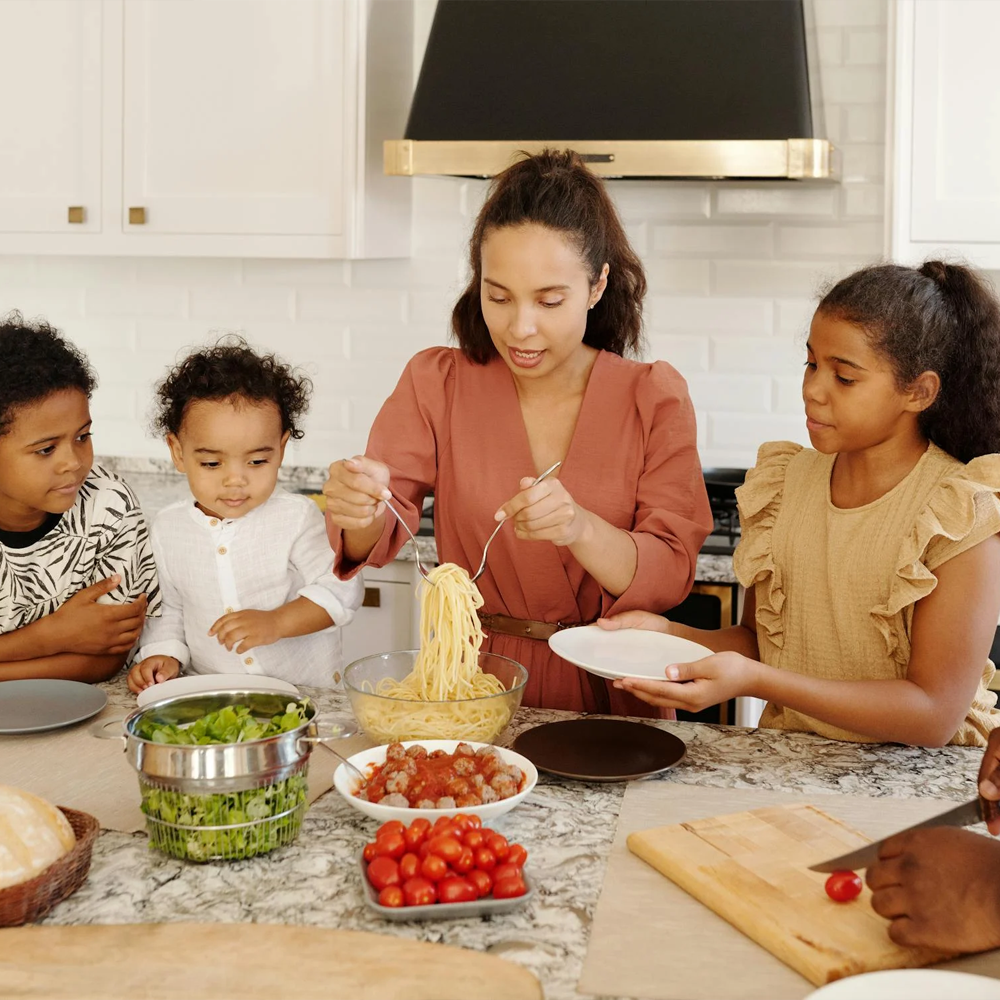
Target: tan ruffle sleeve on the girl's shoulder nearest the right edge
(963, 511)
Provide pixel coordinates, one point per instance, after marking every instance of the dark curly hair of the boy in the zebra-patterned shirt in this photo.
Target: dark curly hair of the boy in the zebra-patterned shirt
(36, 361)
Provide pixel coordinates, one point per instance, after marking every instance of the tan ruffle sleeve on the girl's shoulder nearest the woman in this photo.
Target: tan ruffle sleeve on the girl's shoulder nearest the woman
(759, 500)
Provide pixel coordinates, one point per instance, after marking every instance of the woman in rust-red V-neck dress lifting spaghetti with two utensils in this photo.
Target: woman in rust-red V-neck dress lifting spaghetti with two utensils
(540, 375)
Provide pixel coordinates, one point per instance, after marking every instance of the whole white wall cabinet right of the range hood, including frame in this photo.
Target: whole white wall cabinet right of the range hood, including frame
(946, 136)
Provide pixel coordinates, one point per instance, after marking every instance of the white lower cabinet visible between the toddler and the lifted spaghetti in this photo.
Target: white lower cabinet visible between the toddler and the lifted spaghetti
(390, 617)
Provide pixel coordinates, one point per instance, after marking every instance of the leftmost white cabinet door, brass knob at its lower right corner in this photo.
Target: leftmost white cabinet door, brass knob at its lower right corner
(50, 116)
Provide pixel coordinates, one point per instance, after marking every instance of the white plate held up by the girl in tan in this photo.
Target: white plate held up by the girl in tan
(627, 652)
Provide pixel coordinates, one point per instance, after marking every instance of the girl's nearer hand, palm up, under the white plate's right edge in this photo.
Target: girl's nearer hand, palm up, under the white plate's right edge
(694, 686)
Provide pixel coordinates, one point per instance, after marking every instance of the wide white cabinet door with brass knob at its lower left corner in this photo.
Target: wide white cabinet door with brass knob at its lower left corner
(234, 116)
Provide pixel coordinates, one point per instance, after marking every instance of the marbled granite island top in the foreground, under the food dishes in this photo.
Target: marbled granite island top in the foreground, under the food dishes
(567, 827)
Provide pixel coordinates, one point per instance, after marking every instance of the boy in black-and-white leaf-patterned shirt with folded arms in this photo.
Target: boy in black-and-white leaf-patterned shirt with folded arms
(77, 576)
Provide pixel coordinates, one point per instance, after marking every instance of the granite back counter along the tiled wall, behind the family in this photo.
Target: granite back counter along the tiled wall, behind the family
(157, 484)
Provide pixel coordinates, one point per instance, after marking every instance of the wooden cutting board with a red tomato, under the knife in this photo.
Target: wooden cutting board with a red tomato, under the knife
(751, 868)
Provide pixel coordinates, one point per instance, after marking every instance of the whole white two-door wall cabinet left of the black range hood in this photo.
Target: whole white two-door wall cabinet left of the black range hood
(213, 128)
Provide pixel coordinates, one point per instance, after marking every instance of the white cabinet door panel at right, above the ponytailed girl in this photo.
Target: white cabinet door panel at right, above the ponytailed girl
(955, 158)
